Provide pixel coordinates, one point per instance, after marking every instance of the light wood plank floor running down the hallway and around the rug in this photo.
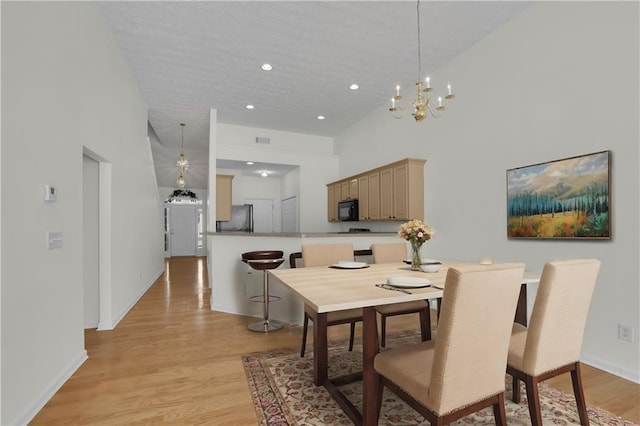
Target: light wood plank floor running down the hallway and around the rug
(173, 360)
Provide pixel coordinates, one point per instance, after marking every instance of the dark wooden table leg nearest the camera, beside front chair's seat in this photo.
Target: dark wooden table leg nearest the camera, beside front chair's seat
(369, 351)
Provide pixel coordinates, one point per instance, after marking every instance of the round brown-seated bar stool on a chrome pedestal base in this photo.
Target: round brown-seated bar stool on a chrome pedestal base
(262, 261)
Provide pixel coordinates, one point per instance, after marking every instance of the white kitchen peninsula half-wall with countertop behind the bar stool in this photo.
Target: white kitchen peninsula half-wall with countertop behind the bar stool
(233, 282)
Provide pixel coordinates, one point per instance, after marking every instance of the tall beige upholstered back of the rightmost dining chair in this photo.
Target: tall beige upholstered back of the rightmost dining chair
(554, 337)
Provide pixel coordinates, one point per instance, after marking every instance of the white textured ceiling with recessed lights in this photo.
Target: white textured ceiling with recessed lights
(189, 57)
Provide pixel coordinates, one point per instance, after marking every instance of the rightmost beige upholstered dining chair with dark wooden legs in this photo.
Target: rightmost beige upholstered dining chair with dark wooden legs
(552, 343)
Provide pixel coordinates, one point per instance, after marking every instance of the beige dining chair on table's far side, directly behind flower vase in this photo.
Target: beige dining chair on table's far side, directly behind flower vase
(397, 252)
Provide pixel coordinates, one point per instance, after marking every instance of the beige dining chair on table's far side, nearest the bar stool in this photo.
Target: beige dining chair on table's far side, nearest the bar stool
(325, 255)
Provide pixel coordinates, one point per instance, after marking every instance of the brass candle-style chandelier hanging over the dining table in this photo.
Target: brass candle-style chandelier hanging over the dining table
(422, 103)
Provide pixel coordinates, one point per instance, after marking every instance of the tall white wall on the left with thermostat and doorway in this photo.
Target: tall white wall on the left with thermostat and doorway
(64, 86)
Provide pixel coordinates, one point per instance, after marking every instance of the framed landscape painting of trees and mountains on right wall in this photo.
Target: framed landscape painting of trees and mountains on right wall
(561, 199)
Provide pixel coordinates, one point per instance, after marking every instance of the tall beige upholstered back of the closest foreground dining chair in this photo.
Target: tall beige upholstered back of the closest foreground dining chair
(470, 353)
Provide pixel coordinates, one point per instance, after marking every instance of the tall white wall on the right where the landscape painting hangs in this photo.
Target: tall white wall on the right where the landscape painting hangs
(558, 81)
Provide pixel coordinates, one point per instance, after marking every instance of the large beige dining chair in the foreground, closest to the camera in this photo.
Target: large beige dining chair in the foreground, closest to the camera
(462, 370)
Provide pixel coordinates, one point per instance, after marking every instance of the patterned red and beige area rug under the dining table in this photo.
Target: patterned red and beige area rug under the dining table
(283, 392)
